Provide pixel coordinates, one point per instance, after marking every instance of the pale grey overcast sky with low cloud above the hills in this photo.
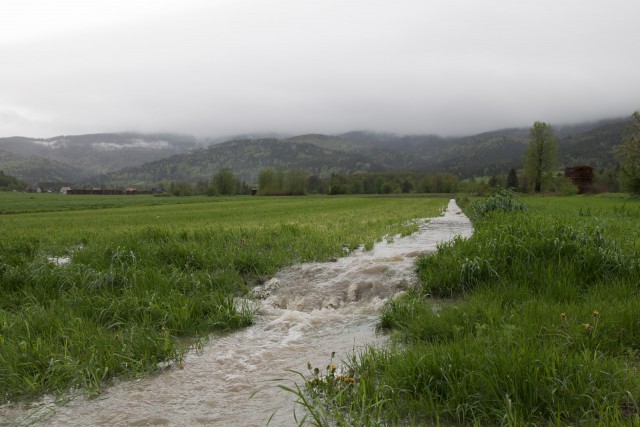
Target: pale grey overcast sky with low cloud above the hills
(218, 67)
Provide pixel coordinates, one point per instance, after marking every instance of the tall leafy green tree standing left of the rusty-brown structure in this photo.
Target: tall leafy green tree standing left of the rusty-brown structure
(542, 153)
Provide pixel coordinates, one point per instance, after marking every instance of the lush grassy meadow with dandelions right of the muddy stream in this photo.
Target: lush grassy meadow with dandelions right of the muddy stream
(534, 320)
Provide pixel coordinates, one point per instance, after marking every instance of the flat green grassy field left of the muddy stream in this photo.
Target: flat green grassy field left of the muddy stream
(97, 287)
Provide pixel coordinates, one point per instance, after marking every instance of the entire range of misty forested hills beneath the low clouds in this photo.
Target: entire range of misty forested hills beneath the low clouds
(146, 159)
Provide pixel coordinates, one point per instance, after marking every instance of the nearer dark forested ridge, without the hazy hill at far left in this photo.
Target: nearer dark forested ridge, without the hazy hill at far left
(484, 154)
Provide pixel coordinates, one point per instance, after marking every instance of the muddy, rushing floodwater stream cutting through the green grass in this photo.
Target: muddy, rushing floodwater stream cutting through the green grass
(305, 312)
